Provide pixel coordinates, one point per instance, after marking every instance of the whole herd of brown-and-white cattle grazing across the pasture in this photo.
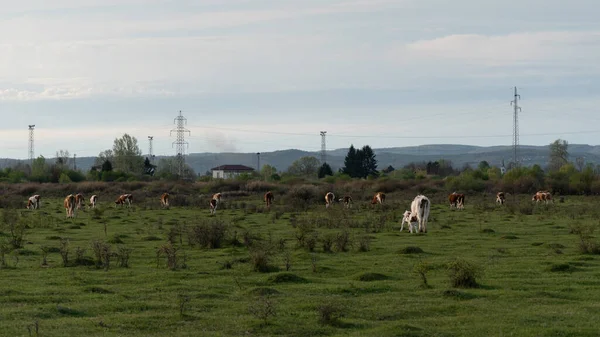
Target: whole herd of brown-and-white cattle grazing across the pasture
(416, 218)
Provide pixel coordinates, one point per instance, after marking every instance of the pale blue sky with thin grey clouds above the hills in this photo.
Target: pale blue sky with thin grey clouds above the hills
(265, 75)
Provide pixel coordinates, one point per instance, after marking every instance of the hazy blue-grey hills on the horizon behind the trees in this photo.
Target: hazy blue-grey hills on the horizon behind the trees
(459, 155)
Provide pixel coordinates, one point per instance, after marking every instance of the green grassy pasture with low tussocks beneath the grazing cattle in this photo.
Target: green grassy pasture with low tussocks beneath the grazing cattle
(360, 279)
